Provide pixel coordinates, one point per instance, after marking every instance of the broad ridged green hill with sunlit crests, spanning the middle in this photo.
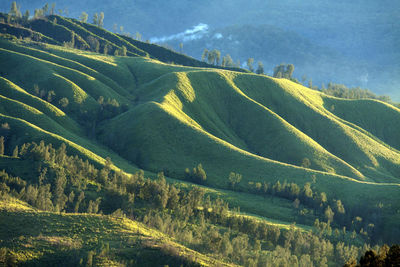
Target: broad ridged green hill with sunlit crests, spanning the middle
(177, 117)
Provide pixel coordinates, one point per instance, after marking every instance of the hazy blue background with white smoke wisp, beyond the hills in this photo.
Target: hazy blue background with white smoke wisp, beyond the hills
(352, 42)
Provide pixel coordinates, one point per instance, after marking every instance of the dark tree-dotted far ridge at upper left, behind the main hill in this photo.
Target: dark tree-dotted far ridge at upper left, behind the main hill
(59, 30)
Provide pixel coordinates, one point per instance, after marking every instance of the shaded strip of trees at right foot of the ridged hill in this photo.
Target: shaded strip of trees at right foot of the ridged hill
(325, 208)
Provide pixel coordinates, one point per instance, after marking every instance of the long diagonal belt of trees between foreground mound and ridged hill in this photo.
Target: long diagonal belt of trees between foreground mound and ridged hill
(70, 184)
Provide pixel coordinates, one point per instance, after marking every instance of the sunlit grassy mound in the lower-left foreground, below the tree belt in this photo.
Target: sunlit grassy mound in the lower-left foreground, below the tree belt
(34, 237)
